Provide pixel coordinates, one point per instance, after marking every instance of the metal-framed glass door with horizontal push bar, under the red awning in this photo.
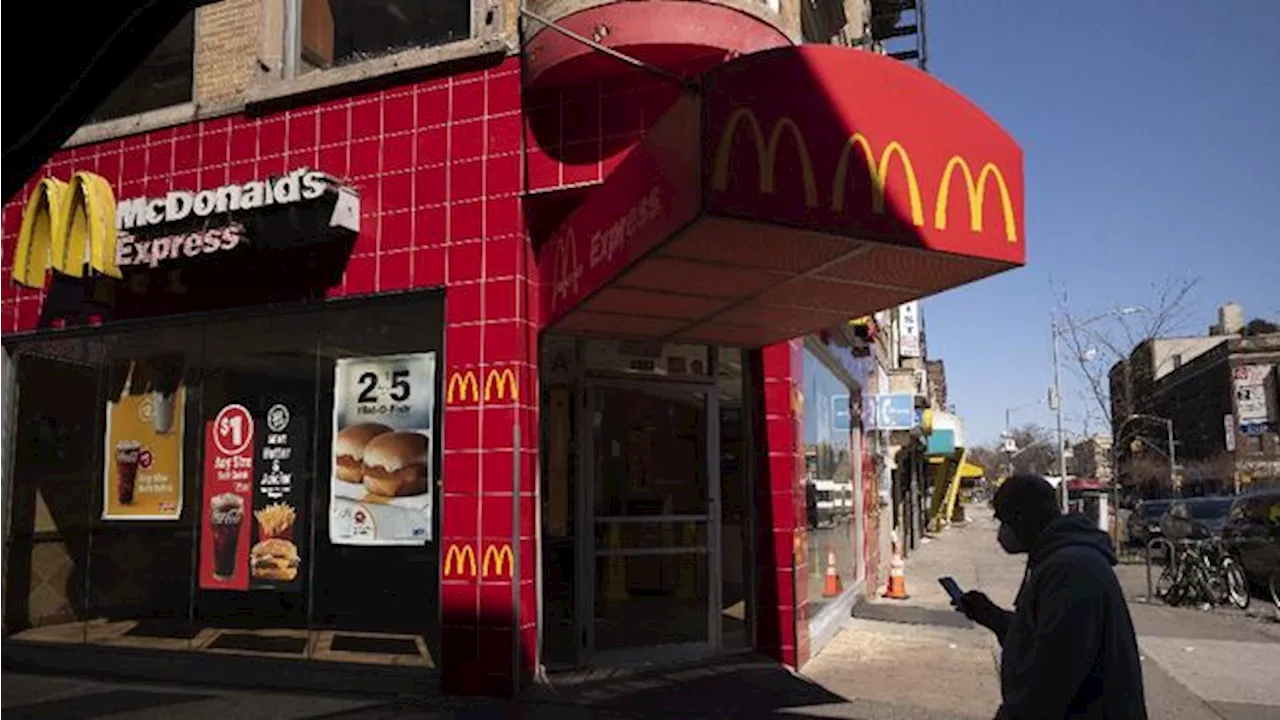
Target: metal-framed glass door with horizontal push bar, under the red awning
(651, 544)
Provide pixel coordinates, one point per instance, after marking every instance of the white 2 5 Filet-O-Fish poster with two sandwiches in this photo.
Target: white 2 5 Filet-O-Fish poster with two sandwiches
(383, 435)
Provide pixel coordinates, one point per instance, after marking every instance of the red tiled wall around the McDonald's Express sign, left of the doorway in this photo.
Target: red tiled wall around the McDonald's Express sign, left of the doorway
(441, 174)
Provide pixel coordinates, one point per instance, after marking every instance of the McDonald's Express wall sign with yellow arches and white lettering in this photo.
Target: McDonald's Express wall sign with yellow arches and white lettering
(70, 227)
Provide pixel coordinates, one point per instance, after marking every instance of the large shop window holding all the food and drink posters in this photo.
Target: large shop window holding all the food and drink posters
(175, 487)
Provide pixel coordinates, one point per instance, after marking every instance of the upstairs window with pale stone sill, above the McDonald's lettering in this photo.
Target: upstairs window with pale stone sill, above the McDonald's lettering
(337, 33)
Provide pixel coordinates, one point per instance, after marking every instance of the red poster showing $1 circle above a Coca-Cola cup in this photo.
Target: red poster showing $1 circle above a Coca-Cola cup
(228, 499)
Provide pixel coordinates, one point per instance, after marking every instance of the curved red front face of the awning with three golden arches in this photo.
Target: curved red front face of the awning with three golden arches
(877, 152)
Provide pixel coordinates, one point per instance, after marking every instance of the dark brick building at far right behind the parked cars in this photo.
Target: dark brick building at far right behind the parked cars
(1215, 395)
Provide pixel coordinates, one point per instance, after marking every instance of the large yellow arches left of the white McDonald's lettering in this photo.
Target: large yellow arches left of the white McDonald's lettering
(66, 227)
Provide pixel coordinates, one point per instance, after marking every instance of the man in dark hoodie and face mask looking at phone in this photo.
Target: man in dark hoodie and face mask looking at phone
(1068, 648)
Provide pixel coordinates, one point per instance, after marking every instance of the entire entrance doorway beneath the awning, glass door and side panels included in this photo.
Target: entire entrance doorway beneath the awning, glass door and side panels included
(647, 512)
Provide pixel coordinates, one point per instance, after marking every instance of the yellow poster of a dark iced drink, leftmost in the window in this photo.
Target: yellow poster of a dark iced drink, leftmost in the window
(143, 473)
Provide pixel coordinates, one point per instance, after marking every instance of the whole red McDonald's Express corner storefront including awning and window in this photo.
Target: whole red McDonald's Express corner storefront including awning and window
(374, 389)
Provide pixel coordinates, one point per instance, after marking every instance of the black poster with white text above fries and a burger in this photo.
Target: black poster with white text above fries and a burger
(280, 496)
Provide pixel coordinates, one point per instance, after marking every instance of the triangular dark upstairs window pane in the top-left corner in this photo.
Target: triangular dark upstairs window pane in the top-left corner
(164, 79)
